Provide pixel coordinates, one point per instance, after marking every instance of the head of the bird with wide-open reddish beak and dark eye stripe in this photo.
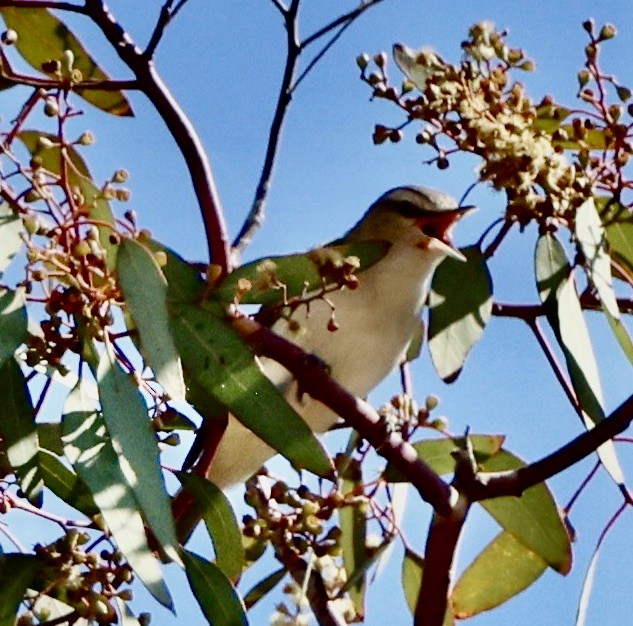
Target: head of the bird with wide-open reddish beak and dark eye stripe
(415, 216)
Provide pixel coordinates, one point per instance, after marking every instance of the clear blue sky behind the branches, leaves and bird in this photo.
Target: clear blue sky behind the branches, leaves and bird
(223, 62)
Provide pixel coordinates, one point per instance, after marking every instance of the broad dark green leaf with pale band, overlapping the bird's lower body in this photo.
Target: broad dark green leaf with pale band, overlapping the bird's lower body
(221, 363)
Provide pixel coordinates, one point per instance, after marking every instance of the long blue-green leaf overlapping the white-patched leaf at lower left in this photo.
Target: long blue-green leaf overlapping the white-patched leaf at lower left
(134, 440)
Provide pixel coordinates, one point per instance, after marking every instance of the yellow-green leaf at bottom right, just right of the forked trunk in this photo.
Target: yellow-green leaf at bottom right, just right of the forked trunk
(502, 570)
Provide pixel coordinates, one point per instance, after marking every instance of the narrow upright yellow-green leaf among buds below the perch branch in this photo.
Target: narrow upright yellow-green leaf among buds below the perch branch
(353, 522)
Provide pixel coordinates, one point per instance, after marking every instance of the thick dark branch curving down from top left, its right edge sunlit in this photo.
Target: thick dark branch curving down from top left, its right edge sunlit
(178, 124)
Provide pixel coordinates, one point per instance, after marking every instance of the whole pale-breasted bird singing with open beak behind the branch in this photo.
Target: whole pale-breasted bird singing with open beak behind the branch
(376, 321)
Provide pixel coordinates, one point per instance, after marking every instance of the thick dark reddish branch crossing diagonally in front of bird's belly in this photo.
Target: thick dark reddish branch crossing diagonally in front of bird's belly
(358, 414)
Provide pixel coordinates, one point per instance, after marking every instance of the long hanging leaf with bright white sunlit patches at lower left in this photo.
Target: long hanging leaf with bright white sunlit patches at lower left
(88, 447)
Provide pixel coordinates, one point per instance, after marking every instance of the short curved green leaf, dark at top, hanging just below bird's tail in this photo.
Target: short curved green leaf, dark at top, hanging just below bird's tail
(219, 518)
